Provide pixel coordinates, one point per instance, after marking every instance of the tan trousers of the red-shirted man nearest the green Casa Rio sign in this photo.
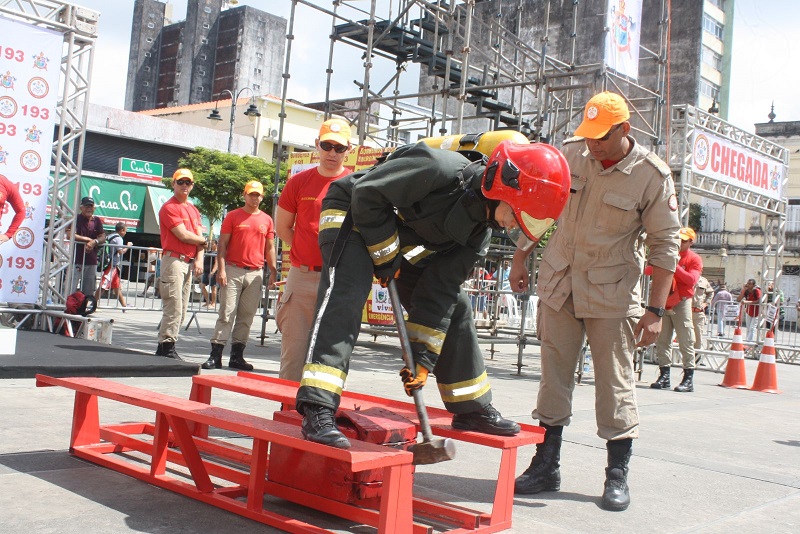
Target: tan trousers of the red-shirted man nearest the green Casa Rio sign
(175, 286)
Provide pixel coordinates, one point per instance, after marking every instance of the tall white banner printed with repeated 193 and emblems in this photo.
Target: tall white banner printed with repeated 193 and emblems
(30, 67)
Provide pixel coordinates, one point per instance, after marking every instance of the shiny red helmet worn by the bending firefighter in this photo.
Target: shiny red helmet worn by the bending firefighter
(533, 179)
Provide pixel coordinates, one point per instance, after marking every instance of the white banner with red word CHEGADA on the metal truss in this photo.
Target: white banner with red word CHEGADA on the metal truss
(729, 162)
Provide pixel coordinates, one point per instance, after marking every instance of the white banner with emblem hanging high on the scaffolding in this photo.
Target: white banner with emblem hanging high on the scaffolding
(623, 19)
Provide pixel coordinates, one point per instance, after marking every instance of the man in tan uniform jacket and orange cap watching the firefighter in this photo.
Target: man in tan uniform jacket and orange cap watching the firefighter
(622, 199)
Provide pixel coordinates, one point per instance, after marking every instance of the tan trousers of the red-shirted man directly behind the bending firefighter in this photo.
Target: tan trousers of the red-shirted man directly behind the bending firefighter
(295, 318)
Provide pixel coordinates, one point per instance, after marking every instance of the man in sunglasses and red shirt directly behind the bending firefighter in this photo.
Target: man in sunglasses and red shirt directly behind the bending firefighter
(297, 224)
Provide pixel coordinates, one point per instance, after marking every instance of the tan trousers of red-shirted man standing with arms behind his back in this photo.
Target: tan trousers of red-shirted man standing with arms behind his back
(238, 303)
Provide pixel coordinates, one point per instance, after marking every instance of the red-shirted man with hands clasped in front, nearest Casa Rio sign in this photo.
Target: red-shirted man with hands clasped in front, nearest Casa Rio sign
(183, 244)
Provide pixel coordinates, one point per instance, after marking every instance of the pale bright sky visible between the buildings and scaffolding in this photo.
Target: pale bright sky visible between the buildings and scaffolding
(765, 65)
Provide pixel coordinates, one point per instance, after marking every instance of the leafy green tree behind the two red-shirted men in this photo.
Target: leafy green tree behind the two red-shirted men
(220, 178)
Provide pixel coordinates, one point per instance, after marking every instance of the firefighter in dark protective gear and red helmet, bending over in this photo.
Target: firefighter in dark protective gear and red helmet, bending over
(427, 214)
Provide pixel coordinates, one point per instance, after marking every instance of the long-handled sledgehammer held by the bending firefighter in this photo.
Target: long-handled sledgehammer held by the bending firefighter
(430, 451)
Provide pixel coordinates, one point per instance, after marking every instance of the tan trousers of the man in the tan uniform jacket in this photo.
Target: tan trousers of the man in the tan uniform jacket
(612, 345)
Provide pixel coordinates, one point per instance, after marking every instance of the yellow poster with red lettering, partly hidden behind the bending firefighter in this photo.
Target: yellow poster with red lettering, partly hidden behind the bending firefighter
(378, 309)
